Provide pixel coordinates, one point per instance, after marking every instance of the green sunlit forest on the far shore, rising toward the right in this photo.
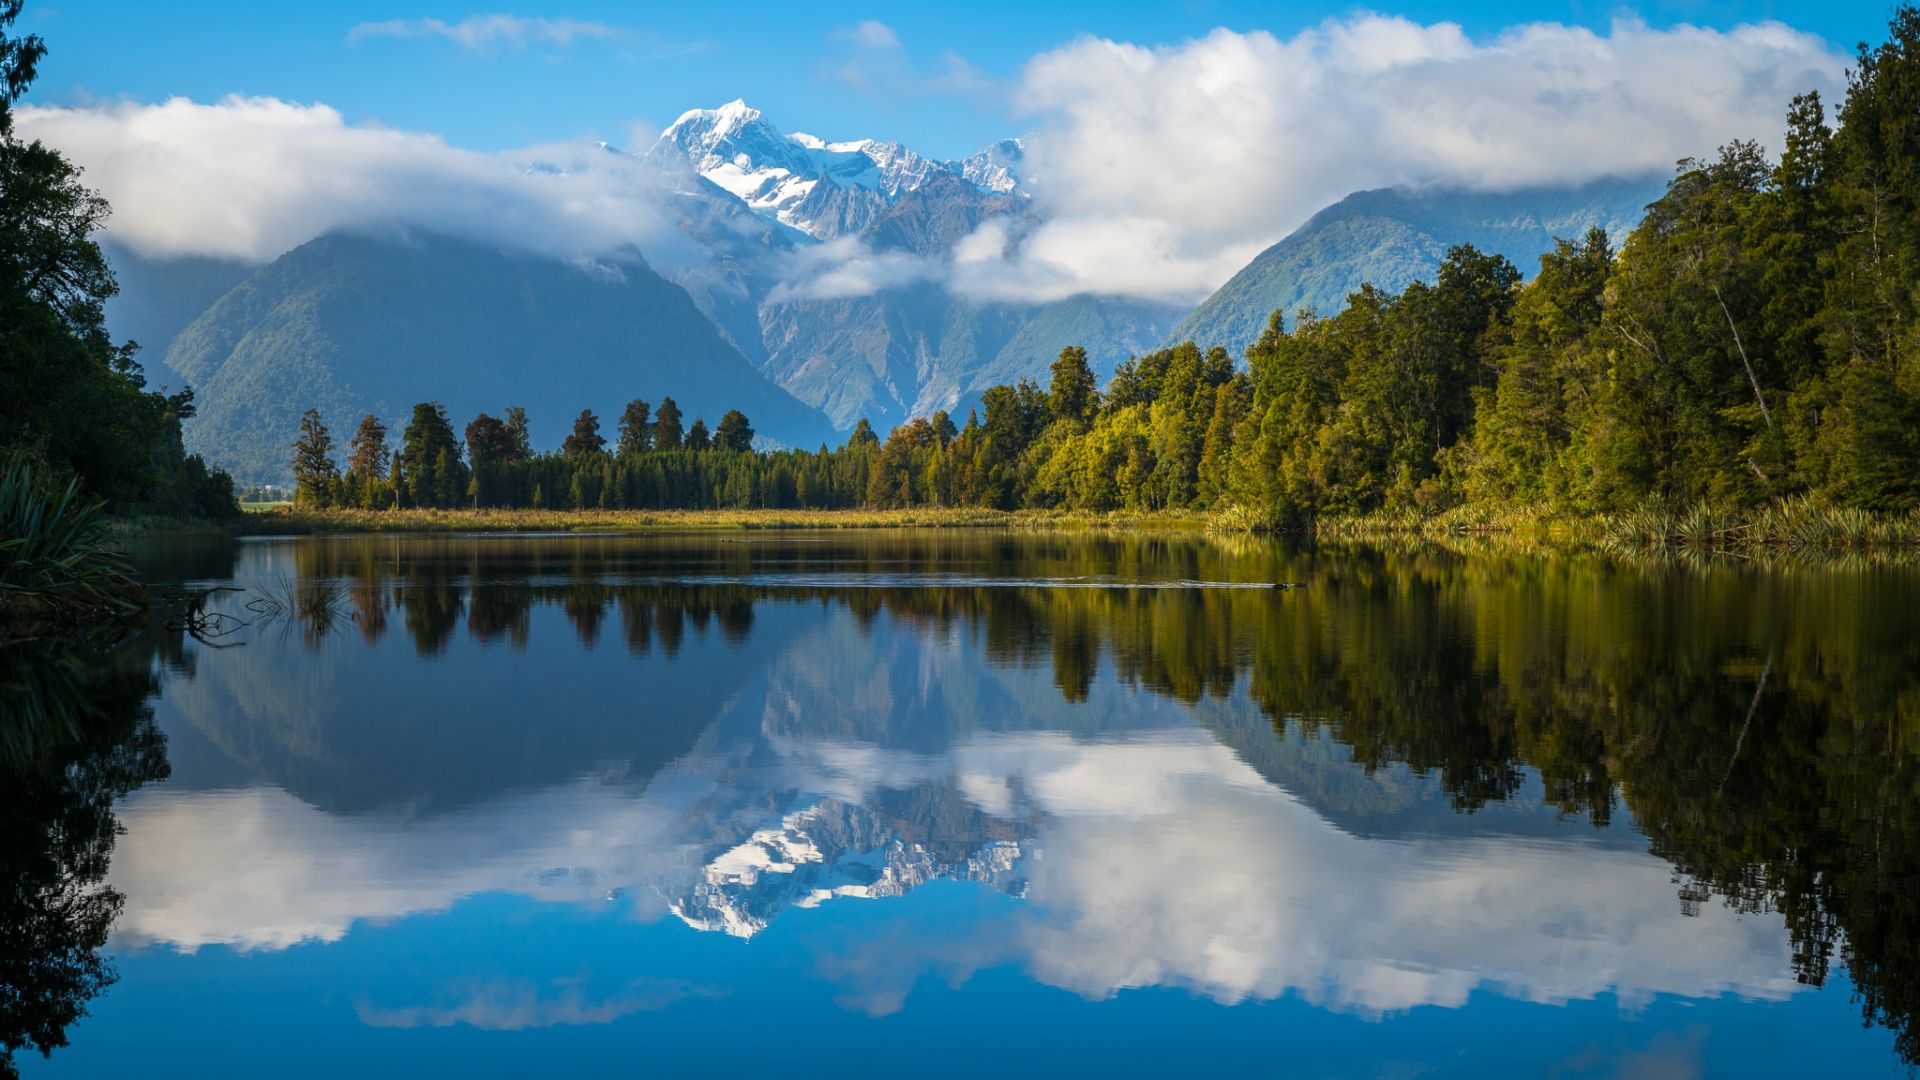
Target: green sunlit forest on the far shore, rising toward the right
(1752, 341)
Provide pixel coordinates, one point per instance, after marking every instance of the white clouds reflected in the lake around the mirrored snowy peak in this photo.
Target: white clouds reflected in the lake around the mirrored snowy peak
(1161, 860)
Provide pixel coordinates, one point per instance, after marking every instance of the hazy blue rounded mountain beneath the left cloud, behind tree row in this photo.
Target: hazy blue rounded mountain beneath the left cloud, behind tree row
(356, 324)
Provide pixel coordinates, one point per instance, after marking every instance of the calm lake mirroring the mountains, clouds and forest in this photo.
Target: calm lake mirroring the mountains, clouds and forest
(972, 802)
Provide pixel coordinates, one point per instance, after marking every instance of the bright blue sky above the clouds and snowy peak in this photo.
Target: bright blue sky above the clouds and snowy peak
(786, 59)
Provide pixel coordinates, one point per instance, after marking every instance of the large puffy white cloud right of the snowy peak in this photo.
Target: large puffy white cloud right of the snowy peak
(1164, 170)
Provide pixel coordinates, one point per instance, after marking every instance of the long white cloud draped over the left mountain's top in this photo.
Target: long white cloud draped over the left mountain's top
(254, 178)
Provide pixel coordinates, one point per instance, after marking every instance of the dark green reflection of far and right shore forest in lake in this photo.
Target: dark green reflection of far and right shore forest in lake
(1758, 725)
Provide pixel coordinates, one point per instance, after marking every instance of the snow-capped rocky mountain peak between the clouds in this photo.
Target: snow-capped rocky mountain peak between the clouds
(823, 189)
